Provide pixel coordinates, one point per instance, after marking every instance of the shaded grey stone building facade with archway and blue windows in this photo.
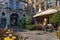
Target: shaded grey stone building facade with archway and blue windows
(12, 11)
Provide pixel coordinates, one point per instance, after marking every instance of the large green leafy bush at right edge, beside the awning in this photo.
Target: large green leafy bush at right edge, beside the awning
(55, 18)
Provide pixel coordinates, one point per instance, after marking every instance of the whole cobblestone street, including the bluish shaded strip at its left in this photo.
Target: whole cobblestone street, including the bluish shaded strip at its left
(35, 35)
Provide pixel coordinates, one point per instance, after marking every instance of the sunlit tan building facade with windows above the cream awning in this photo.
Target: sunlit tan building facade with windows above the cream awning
(43, 5)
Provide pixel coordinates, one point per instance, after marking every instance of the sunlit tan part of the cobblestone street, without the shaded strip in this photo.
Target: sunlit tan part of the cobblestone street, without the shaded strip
(38, 35)
